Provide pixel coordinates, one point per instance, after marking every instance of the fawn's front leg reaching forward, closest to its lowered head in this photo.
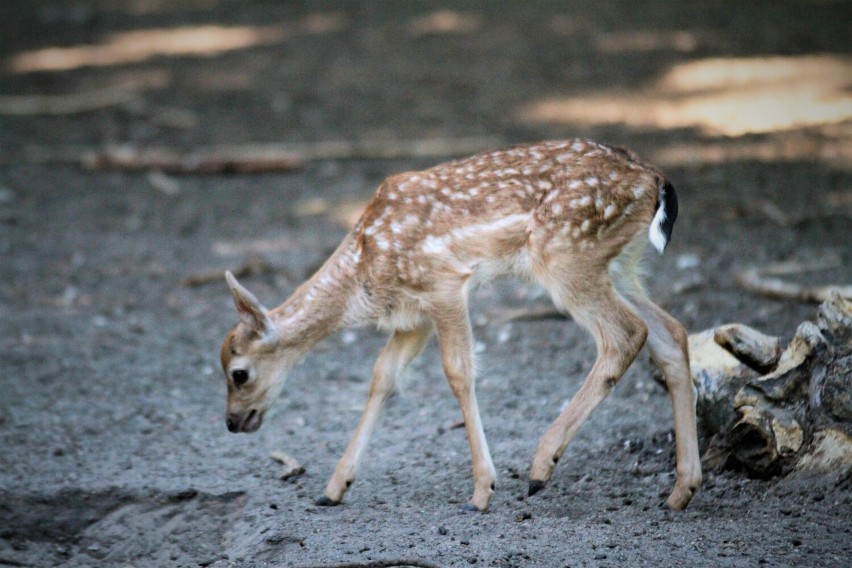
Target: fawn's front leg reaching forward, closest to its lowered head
(400, 350)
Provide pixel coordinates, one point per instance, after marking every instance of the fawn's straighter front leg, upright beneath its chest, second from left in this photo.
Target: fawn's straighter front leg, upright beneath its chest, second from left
(455, 340)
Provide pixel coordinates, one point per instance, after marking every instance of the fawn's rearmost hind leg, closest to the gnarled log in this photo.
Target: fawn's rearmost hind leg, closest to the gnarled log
(668, 345)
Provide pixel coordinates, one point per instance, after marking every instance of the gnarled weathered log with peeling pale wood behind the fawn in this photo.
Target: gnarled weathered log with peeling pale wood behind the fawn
(773, 412)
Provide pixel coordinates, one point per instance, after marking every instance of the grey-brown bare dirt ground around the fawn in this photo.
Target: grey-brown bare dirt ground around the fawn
(114, 446)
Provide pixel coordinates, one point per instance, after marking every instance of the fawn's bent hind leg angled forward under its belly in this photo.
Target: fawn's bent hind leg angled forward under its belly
(619, 335)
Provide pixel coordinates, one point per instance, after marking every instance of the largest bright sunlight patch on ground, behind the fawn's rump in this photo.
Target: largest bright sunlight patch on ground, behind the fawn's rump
(720, 96)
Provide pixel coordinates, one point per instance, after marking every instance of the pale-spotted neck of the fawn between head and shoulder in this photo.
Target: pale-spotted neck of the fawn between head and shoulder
(321, 306)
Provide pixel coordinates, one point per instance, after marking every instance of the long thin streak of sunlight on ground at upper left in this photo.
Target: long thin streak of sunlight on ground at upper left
(138, 46)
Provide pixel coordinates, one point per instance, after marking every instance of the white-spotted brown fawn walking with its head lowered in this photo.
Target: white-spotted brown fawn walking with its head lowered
(574, 216)
